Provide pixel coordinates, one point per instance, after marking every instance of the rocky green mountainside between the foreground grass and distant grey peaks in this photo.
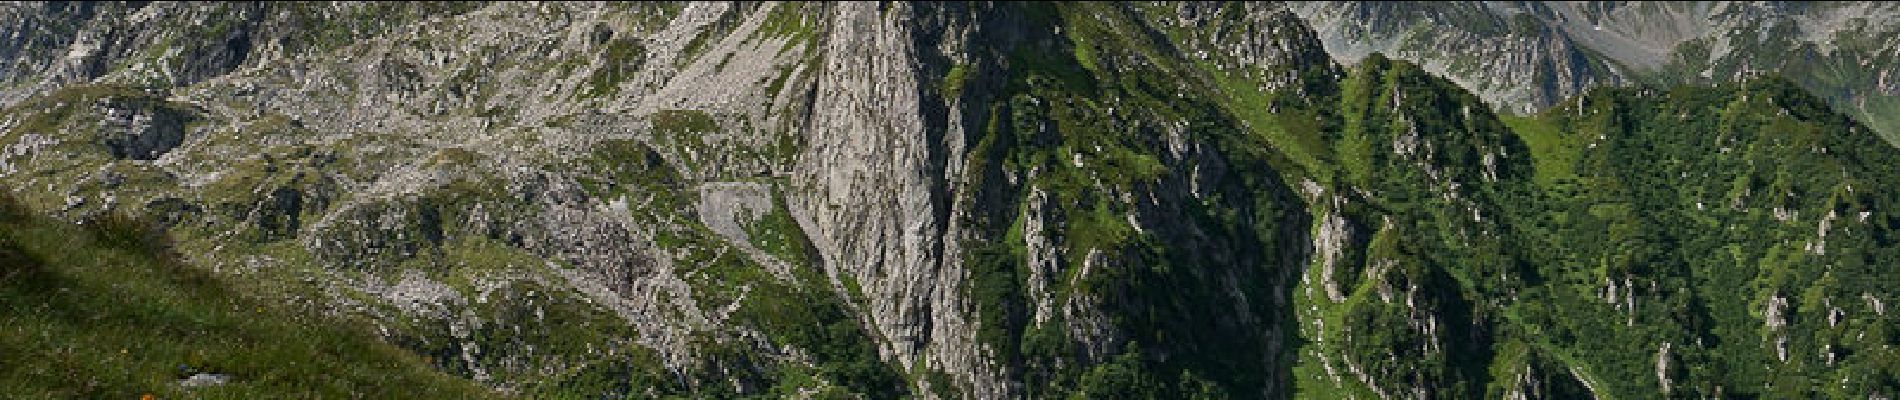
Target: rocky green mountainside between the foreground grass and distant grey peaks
(1158, 200)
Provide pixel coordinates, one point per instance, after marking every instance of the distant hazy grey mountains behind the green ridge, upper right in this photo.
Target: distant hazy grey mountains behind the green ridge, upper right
(1530, 56)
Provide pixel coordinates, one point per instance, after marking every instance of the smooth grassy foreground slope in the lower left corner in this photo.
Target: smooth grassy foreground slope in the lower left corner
(100, 312)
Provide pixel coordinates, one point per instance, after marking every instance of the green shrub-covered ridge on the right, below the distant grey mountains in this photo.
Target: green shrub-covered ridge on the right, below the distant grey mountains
(1616, 192)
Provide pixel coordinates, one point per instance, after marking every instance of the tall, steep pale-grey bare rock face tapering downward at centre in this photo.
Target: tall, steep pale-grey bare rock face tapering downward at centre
(873, 187)
